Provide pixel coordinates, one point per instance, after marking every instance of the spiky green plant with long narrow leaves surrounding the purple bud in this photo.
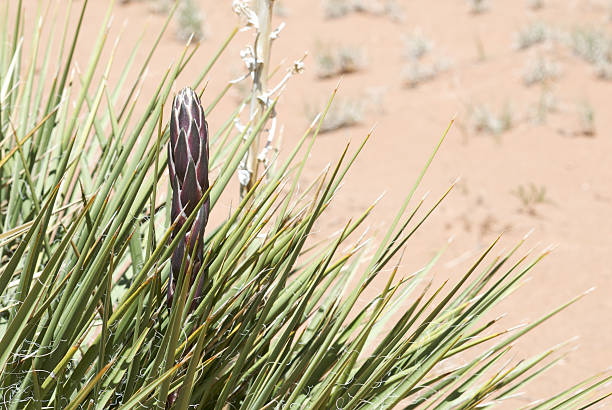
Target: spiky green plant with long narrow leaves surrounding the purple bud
(87, 256)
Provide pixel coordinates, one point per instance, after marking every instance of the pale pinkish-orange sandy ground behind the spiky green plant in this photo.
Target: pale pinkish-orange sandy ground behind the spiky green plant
(553, 155)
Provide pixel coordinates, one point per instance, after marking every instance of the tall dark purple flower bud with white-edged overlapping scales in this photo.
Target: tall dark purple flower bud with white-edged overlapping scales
(188, 169)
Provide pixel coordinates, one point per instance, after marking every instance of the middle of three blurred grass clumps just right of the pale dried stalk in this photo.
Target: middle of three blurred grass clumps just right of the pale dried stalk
(338, 60)
